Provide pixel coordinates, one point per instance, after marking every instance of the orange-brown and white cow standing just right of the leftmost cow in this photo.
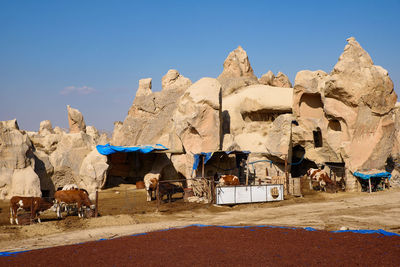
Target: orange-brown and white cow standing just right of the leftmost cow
(75, 196)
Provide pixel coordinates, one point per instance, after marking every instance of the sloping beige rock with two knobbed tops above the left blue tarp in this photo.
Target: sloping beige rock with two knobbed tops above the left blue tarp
(149, 118)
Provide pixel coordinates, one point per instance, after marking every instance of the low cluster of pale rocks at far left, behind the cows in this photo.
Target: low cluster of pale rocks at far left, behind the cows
(35, 162)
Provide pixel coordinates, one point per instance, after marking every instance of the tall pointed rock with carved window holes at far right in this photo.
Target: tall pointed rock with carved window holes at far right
(351, 111)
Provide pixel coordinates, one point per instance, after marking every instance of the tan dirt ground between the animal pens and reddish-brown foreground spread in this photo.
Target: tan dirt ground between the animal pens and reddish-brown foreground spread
(124, 211)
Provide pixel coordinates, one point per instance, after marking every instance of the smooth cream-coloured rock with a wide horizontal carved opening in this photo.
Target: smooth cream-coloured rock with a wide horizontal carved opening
(249, 114)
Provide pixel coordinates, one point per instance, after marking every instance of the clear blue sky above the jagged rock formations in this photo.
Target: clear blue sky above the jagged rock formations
(91, 54)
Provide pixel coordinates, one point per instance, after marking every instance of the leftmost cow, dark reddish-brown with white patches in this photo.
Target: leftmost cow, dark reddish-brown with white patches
(35, 204)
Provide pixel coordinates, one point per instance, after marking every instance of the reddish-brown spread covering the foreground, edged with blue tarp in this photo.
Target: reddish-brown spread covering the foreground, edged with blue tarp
(216, 246)
